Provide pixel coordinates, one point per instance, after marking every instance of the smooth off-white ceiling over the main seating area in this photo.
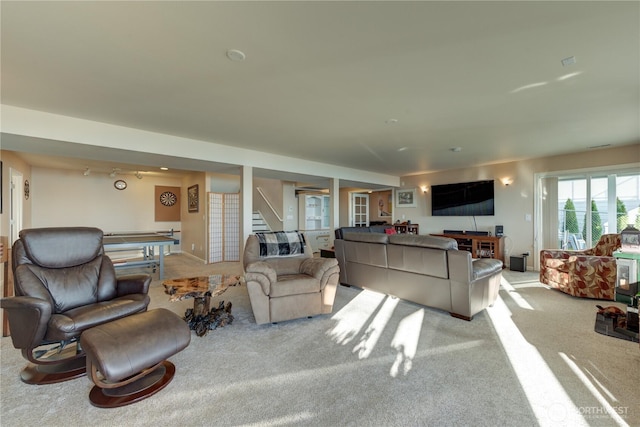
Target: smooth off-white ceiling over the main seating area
(326, 80)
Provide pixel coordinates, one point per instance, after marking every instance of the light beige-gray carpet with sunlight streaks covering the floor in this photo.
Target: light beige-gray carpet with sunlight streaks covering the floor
(532, 359)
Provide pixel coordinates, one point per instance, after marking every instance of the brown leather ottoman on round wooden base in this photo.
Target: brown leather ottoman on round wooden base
(126, 358)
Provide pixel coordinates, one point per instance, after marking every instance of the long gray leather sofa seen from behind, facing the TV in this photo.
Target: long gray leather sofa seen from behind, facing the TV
(428, 270)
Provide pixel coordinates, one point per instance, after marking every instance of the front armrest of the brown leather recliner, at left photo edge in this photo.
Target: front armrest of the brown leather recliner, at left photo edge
(28, 317)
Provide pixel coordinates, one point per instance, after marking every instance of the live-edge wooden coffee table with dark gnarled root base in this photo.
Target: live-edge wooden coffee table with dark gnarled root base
(202, 288)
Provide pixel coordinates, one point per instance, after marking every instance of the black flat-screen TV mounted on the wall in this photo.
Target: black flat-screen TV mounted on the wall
(463, 199)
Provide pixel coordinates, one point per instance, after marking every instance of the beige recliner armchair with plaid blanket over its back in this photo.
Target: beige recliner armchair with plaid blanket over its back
(284, 280)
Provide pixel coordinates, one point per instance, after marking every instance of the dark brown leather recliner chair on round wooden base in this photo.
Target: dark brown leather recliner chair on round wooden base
(65, 284)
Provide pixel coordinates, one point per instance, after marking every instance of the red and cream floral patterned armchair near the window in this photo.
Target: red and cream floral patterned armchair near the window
(588, 273)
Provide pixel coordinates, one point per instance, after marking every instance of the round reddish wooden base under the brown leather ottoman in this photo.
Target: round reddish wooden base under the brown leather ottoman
(144, 387)
